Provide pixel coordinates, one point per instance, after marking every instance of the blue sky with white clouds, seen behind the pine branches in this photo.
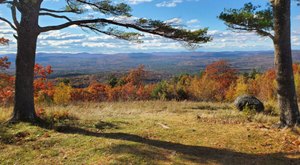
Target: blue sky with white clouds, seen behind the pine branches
(191, 14)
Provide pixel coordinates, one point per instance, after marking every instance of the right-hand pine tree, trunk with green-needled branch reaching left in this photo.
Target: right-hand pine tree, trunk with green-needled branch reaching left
(275, 23)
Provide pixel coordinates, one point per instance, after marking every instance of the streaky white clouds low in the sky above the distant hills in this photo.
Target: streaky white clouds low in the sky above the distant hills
(75, 41)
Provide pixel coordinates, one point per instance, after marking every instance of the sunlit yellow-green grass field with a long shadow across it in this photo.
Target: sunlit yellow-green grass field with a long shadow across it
(153, 132)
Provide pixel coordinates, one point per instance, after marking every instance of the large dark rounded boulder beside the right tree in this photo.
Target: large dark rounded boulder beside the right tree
(248, 101)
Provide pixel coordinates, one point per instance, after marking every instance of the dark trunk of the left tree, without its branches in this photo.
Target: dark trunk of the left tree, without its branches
(28, 32)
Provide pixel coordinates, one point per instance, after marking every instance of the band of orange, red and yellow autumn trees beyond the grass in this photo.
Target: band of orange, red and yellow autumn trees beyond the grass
(219, 81)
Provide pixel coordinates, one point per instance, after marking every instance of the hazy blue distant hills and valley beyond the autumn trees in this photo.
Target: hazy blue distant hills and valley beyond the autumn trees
(167, 63)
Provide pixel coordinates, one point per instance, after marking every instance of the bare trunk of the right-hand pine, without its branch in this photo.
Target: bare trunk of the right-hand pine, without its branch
(287, 99)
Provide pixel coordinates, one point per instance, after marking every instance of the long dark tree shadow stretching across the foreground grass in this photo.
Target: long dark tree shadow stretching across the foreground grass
(197, 154)
